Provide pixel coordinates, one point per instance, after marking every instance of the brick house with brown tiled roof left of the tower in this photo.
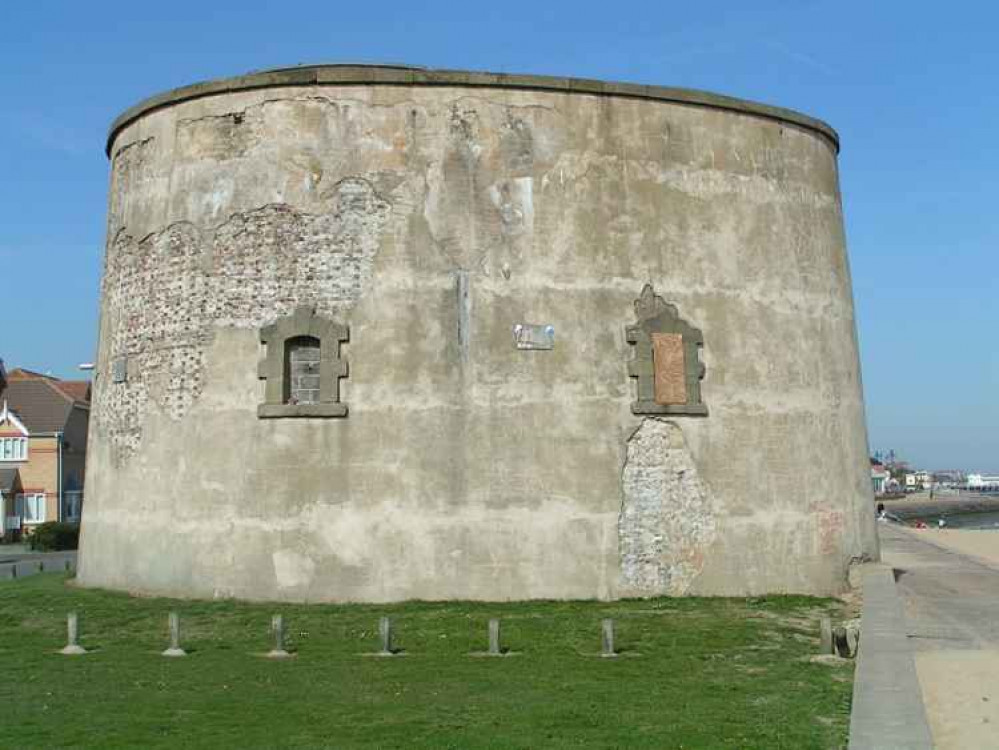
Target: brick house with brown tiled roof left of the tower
(43, 447)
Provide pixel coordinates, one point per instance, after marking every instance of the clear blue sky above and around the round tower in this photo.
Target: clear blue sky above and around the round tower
(911, 88)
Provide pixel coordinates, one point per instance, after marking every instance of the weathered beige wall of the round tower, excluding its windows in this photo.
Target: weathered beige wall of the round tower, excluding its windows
(430, 213)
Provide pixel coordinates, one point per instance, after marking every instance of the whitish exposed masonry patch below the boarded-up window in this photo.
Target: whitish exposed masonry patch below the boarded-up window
(668, 517)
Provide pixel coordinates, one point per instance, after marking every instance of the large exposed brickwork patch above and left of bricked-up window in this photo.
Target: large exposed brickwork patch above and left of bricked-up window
(164, 295)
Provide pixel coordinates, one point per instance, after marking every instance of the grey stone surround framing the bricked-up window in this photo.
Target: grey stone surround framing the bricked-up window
(303, 322)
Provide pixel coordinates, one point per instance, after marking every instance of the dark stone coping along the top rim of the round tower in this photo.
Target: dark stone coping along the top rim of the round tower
(403, 75)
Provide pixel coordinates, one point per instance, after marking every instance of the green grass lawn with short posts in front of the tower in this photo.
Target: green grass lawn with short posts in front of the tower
(694, 673)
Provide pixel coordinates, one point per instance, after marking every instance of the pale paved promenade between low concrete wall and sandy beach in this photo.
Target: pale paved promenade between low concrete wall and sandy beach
(952, 618)
